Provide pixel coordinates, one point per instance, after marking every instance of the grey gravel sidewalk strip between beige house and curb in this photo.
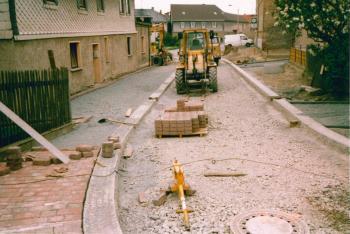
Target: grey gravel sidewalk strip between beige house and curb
(111, 102)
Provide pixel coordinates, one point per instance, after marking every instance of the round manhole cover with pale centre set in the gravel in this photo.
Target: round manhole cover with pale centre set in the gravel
(268, 222)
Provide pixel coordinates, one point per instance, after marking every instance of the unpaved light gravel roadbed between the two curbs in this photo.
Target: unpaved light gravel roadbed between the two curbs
(286, 167)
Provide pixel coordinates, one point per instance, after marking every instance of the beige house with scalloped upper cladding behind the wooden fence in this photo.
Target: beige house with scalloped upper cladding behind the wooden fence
(96, 40)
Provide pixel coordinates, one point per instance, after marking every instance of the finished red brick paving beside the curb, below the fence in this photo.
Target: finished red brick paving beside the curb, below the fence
(49, 201)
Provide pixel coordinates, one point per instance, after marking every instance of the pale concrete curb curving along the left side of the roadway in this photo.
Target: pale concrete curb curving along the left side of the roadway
(100, 208)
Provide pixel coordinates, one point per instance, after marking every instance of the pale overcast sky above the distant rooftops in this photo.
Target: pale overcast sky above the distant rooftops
(244, 6)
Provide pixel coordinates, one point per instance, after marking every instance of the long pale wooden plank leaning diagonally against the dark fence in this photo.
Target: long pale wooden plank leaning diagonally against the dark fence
(15, 118)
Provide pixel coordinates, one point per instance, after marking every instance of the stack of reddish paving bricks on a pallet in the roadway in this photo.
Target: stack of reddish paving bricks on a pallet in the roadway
(188, 118)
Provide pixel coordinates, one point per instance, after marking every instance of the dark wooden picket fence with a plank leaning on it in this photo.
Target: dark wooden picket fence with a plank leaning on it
(41, 98)
